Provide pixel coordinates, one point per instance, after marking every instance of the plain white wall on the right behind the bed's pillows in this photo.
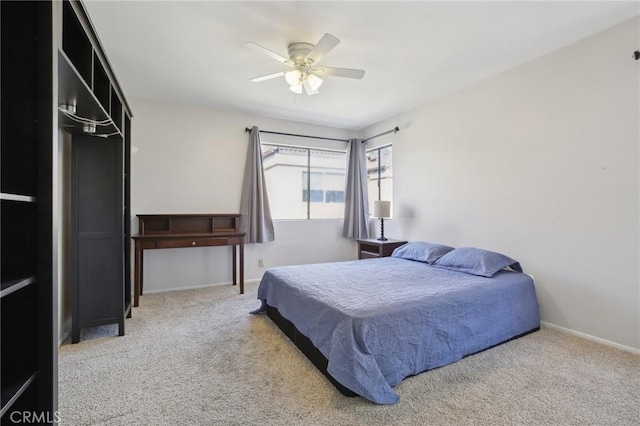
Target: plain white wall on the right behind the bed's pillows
(540, 163)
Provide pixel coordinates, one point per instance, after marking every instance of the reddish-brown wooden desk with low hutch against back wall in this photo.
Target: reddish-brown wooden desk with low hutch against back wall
(162, 231)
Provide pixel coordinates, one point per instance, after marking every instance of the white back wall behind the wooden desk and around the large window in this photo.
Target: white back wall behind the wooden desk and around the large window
(191, 160)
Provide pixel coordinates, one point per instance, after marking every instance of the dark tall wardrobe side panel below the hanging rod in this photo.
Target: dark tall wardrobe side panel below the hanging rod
(97, 233)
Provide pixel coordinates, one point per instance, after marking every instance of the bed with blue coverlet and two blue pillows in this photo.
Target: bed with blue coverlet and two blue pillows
(368, 324)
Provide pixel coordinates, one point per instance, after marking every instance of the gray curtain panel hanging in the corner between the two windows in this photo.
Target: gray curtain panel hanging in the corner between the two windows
(356, 205)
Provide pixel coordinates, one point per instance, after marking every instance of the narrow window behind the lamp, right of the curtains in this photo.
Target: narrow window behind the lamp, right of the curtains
(380, 175)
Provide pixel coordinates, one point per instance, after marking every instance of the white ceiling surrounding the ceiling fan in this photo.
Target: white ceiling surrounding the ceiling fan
(413, 52)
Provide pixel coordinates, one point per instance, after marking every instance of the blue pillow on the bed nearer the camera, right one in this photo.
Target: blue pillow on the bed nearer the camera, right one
(476, 261)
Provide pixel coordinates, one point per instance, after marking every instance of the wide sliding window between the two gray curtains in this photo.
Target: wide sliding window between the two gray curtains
(304, 183)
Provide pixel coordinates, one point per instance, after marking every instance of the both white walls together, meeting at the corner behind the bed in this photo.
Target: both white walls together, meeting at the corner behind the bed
(540, 163)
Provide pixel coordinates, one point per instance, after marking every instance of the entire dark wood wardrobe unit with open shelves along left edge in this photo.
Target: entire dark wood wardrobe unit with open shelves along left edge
(57, 84)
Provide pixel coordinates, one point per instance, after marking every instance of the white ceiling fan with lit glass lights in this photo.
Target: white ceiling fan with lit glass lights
(303, 59)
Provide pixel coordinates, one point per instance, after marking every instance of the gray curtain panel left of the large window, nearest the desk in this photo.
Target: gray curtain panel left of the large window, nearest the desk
(254, 205)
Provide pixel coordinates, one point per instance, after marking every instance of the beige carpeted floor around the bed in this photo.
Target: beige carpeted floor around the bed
(197, 357)
